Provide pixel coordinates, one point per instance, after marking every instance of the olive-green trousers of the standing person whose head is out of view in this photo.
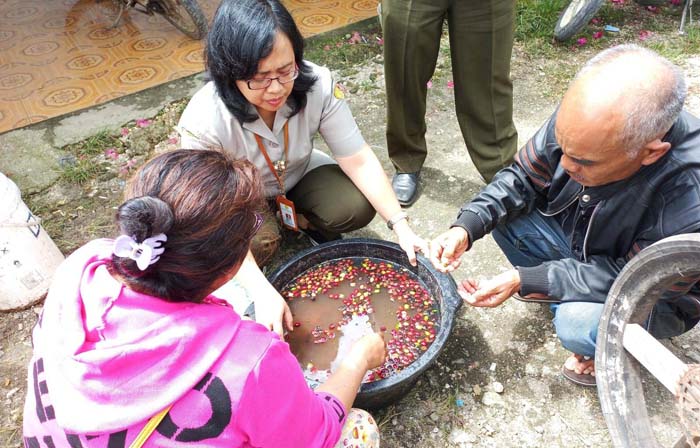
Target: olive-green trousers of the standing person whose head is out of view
(481, 42)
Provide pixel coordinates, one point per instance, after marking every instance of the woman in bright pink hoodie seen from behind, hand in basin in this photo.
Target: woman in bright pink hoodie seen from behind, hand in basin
(133, 349)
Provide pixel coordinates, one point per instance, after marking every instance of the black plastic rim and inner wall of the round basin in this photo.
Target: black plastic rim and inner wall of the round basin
(441, 286)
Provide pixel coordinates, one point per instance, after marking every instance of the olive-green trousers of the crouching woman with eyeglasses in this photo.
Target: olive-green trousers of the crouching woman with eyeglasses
(327, 198)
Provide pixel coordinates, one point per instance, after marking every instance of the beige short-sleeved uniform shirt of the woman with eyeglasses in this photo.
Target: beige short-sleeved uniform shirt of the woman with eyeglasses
(206, 123)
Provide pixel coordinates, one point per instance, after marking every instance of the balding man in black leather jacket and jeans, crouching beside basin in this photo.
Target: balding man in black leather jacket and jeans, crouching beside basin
(615, 169)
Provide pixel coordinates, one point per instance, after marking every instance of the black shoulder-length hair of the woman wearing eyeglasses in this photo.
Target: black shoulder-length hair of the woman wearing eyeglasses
(242, 34)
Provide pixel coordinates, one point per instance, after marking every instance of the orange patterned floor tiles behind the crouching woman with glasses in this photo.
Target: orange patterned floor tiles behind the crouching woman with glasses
(61, 56)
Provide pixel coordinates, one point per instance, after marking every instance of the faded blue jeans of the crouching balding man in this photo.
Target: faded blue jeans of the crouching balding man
(533, 239)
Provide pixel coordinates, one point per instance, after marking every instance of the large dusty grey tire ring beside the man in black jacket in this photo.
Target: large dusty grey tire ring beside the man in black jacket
(631, 298)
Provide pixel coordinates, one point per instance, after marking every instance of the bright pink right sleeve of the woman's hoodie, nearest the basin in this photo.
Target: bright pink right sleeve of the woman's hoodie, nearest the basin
(277, 408)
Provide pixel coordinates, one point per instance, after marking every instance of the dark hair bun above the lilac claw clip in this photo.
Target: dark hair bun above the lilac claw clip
(144, 216)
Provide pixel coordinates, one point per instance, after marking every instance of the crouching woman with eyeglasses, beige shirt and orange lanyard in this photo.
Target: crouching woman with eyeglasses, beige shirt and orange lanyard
(265, 103)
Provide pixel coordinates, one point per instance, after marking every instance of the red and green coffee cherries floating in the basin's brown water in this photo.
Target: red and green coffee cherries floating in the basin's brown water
(416, 312)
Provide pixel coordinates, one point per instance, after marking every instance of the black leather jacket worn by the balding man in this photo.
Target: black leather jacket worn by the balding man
(618, 219)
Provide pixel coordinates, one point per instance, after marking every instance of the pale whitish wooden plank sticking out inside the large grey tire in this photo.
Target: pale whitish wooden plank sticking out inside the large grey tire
(656, 358)
